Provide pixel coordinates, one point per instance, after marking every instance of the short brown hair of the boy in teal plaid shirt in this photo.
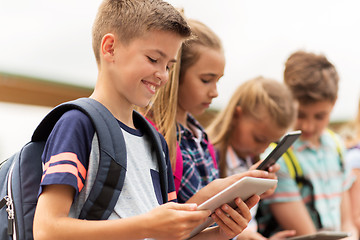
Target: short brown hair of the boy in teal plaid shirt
(311, 78)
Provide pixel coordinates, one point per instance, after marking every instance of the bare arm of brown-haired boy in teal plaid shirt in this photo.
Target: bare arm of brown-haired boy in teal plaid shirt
(293, 216)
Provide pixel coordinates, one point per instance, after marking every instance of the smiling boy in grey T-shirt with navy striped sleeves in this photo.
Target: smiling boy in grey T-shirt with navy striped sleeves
(135, 44)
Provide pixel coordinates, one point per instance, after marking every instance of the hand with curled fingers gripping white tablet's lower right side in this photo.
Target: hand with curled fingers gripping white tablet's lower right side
(233, 221)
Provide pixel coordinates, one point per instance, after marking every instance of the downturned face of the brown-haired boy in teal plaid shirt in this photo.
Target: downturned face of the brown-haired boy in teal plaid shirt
(312, 119)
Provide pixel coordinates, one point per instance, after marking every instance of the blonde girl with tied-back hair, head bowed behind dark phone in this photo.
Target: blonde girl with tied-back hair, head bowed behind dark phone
(259, 112)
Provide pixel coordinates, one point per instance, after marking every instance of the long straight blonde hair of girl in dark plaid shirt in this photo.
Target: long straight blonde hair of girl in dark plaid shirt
(162, 110)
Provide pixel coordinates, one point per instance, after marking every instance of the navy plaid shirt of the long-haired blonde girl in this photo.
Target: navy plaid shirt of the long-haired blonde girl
(198, 165)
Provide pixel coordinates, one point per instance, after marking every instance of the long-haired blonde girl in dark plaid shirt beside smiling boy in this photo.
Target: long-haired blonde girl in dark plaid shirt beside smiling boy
(199, 66)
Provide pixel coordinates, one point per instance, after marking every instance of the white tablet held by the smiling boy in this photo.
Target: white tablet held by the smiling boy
(244, 188)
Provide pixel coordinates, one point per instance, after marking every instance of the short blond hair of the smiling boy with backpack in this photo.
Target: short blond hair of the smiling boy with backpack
(129, 19)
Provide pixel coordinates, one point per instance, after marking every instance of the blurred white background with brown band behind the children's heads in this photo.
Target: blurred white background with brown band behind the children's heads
(46, 54)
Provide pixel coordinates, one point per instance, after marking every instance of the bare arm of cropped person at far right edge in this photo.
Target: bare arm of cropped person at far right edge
(347, 223)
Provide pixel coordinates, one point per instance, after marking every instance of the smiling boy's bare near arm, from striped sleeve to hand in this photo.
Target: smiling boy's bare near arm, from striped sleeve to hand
(169, 221)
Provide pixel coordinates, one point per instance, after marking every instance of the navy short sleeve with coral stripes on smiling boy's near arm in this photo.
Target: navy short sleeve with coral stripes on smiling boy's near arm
(67, 150)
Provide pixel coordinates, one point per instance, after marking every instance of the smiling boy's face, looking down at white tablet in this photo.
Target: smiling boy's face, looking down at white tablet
(142, 66)
